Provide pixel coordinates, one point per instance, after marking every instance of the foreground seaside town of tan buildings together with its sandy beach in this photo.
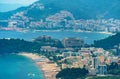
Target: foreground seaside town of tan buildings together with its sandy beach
(73, 55)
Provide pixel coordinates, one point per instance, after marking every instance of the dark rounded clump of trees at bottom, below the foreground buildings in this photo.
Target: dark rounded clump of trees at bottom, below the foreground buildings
(72, 73)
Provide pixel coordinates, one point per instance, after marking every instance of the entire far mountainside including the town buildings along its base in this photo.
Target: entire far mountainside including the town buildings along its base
(84, 15)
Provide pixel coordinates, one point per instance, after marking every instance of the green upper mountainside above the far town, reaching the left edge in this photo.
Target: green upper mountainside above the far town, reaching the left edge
(85, 9)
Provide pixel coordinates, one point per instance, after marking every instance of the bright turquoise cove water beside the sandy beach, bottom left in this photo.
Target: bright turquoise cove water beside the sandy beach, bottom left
(18, 67)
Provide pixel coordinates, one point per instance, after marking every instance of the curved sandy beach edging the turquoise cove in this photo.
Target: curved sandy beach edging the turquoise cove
(49, 69)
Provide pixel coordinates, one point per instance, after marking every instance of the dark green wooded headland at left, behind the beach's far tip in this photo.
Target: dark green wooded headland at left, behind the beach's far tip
(17, 45)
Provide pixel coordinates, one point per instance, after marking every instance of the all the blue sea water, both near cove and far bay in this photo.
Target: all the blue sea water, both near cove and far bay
(18, 67)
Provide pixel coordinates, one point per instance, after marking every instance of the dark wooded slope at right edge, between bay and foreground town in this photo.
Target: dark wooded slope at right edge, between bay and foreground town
(109, 42)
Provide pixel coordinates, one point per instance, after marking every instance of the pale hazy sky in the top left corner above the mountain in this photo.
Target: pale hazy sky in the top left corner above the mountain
(24, 2)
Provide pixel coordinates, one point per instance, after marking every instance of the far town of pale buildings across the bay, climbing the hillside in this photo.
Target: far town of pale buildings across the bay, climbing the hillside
(62, 20)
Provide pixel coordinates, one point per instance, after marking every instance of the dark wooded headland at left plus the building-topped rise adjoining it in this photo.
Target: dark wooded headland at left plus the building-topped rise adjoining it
(18, 45)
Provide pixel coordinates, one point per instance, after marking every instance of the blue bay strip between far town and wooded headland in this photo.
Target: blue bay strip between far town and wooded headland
(89, 37)
